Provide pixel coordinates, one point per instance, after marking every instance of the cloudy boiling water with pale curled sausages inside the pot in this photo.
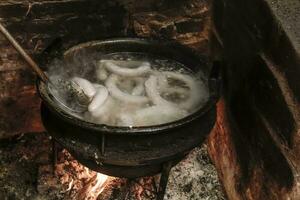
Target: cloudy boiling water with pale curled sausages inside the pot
(131, 89)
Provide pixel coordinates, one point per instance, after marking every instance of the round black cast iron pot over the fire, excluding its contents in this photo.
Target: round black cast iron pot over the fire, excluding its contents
(137, 151)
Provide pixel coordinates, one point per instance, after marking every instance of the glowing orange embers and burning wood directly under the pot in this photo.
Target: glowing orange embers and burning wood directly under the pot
(78, 182)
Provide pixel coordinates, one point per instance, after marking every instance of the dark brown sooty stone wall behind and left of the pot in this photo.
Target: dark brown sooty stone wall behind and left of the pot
(36, 23)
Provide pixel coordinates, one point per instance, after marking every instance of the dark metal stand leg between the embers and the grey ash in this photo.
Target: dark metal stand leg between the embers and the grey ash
(164, 180)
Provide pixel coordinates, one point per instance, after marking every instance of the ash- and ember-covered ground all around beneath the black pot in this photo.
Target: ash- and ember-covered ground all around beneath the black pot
(26, 172)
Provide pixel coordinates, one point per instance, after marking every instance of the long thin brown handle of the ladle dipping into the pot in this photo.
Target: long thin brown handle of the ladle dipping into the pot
(23, 53)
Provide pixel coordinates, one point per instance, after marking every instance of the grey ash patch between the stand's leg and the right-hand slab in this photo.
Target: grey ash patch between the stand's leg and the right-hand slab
(194, 178)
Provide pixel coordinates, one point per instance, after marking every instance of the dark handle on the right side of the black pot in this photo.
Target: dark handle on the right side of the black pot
(215, 80)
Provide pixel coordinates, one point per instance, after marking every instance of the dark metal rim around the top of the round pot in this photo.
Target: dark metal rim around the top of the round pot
(117, 130)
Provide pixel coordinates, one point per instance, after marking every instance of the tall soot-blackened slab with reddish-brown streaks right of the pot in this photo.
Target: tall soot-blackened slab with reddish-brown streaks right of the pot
(255, 144)
